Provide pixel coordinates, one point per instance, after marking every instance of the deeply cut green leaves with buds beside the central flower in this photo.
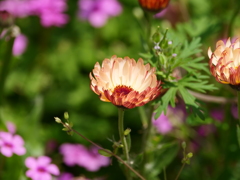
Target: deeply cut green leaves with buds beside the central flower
(181, 68)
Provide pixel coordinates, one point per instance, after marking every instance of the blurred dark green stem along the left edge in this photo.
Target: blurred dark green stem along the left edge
(5, 67)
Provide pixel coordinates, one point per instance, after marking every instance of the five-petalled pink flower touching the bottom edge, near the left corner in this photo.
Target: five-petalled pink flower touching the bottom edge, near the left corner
(40, 168)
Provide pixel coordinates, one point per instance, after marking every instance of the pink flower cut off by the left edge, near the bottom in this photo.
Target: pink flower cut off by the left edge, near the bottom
(11, 144)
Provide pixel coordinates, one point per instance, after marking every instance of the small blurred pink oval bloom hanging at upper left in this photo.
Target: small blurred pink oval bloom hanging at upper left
(20, 45)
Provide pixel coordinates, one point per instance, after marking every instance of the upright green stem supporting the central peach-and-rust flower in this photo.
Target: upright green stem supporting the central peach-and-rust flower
(123, 138)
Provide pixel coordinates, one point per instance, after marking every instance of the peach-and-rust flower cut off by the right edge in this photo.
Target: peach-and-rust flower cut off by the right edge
(225, 62)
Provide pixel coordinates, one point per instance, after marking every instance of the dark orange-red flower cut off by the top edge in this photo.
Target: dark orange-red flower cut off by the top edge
(153, 5)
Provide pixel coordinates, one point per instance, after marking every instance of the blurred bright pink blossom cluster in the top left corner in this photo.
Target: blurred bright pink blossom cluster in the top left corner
(51, 12)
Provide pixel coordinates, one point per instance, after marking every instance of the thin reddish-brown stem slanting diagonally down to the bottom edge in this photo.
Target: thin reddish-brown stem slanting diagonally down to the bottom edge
(105, 150)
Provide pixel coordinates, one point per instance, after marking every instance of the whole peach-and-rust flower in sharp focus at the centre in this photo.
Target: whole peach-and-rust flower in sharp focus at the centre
(125, 82)
